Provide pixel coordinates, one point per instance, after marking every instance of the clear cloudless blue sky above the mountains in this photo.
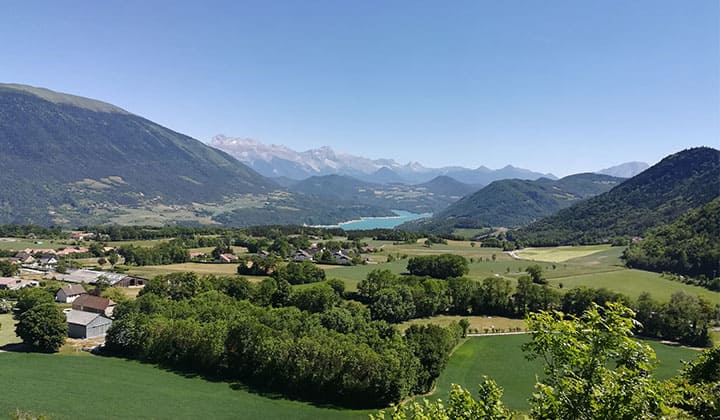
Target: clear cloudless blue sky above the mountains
(555, 86)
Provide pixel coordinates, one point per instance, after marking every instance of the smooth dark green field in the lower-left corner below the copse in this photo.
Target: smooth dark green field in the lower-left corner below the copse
(67, 387)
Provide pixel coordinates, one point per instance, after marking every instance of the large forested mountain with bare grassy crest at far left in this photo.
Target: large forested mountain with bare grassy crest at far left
(64, 150)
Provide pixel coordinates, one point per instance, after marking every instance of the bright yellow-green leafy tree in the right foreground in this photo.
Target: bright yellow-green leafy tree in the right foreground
(593, 368)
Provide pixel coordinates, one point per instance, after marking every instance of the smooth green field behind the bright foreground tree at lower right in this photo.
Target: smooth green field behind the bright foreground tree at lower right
(501, 359)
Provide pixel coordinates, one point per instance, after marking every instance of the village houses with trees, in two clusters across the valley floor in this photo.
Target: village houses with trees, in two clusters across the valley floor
(80, 281)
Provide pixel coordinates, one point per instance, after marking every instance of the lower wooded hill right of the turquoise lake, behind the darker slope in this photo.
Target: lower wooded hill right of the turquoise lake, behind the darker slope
(516, 202)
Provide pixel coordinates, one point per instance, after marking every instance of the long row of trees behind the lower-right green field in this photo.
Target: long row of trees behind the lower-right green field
(396, 298)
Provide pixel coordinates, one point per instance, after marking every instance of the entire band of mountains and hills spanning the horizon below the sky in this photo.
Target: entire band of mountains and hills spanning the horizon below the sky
(73, 161)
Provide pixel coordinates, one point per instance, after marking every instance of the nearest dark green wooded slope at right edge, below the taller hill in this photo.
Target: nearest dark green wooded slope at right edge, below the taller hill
(689, 246)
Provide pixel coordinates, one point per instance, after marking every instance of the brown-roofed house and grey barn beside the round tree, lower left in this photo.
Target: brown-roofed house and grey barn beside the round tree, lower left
(90, 316)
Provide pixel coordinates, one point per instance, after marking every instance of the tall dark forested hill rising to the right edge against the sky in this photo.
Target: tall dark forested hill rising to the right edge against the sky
(661, 194)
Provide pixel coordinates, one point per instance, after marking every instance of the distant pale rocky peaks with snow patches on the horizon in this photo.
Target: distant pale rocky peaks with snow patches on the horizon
(280, 161)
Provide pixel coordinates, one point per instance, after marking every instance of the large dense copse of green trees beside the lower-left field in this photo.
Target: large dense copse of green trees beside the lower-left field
(337, 354)
